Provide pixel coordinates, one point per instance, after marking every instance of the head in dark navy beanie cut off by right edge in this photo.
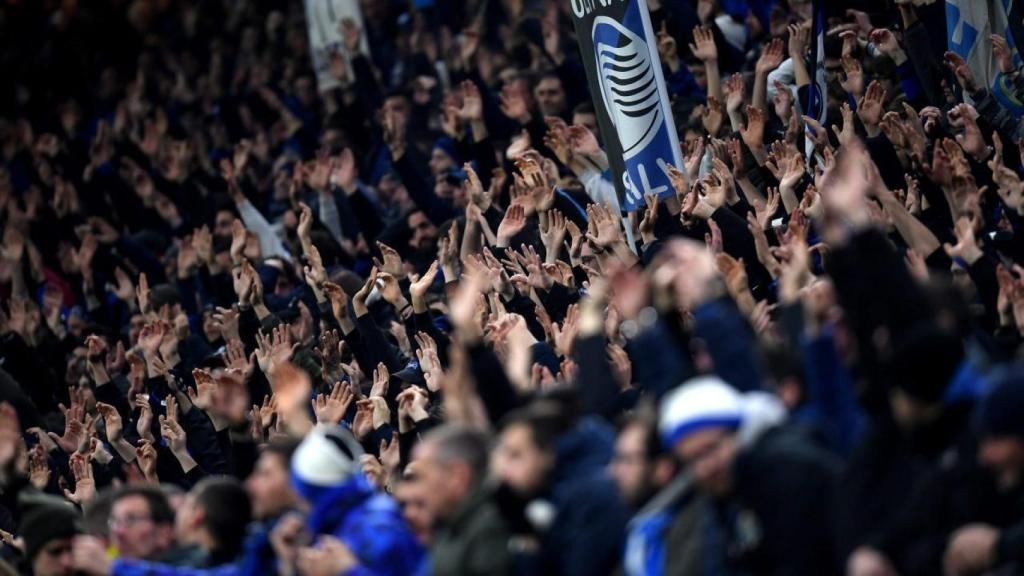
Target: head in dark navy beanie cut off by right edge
(1001, 446)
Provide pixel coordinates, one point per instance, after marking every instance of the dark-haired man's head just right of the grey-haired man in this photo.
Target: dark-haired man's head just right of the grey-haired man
(526, 456)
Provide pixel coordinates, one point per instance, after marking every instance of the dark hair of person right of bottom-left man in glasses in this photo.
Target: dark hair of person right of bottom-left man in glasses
(228, 512)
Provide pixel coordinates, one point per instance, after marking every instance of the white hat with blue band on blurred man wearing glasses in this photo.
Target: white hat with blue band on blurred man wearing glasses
(700, 403)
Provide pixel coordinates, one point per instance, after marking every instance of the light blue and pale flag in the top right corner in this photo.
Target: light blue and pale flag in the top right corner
(969, 24)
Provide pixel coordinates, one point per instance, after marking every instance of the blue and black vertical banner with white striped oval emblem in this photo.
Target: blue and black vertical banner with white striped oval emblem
(624, 72)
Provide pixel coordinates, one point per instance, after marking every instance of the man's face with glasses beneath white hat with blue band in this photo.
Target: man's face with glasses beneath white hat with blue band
(709, 455)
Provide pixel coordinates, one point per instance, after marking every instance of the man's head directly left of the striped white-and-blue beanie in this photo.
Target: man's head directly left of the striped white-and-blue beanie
(270, 485)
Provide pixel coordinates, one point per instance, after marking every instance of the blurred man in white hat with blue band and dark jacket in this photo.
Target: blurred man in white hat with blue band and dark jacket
(771, 487)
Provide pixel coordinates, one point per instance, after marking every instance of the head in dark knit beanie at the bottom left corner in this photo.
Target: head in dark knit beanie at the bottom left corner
(48, 530)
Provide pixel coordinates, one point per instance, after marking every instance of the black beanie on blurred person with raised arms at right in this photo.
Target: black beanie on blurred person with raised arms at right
(925, 360)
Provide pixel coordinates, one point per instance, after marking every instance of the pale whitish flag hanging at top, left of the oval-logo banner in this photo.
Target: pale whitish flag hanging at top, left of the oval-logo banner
(324, 22)
